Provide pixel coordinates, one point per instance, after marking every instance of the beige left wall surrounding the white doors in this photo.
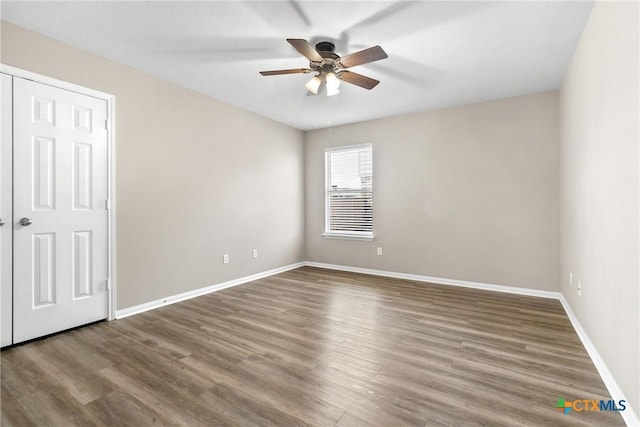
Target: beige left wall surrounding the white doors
(196, 178)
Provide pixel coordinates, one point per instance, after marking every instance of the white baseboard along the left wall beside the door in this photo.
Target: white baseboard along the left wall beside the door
(141, 308)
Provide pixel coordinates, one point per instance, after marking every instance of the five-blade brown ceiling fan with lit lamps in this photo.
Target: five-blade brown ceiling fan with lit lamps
(330, 67)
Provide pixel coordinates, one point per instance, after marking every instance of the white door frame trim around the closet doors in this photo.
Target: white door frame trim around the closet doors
(111, 166)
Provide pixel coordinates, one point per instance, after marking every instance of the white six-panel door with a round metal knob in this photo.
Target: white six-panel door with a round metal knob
(59, 202)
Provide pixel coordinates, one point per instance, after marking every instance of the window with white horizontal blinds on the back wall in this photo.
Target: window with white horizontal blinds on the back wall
(349, 192)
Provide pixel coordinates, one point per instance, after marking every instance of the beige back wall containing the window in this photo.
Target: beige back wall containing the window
(468, 193)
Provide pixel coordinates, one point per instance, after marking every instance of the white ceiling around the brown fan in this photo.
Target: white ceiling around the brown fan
(441, 54)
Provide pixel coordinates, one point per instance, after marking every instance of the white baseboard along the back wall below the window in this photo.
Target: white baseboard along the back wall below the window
(440, 281)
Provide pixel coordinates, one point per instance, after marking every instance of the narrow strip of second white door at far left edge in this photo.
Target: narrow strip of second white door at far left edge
(6, 248)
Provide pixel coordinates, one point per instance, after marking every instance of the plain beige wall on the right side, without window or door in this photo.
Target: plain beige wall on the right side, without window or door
(599, 188)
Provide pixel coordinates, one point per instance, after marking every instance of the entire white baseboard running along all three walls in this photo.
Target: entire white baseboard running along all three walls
(629, 415)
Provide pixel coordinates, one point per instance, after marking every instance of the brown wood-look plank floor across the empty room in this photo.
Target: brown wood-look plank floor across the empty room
(312, 347)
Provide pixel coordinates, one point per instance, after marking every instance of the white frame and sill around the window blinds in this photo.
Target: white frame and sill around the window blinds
(346, 235)
